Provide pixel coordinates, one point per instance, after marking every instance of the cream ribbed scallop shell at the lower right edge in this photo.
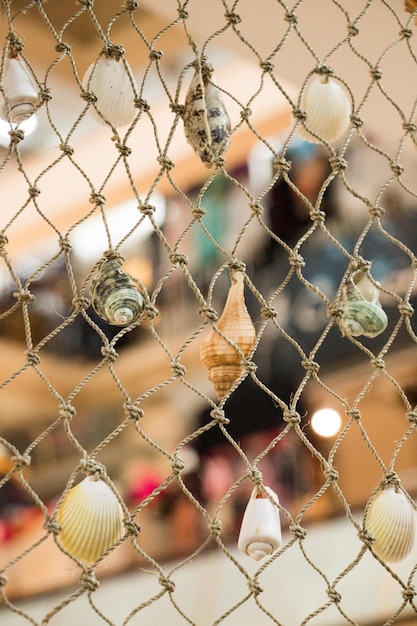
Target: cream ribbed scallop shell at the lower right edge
(391, 520)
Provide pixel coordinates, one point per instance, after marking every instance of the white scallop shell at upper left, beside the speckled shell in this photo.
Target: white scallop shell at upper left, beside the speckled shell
(111, 83)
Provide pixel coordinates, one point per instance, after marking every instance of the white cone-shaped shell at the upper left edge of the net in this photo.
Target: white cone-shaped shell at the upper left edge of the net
(21, 95)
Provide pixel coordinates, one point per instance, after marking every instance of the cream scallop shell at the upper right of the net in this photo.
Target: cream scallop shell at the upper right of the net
(327, 107)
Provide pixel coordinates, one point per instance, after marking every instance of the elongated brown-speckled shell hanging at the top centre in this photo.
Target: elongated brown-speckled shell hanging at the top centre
(206, 122)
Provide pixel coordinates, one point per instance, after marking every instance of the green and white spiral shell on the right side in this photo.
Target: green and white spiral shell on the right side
(362, 311)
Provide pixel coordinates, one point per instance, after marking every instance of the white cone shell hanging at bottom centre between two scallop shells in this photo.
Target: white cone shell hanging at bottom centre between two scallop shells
(260, 532)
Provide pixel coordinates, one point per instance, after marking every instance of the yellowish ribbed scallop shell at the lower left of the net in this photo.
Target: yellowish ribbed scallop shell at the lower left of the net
(91, 519)
